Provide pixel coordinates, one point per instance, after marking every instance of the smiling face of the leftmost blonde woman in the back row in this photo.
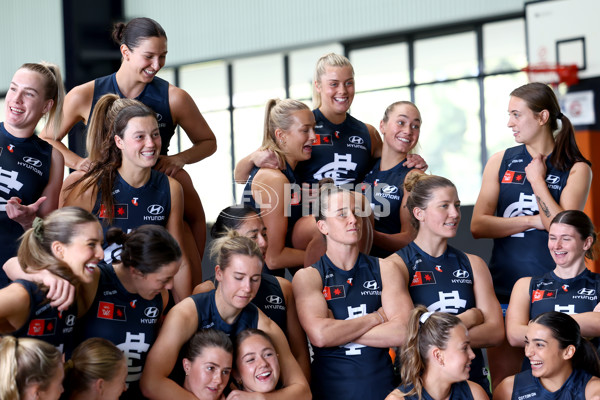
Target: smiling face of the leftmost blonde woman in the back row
(25, 102)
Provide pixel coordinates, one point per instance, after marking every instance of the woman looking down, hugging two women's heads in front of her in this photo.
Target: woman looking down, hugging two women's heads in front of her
(228, 309)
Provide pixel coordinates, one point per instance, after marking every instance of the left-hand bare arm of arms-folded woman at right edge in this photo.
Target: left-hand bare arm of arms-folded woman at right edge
(517, 314)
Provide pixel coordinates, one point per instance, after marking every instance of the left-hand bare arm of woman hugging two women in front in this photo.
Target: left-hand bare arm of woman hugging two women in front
(178, 328)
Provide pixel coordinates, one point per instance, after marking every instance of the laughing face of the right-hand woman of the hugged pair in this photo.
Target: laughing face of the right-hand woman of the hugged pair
(257, 364)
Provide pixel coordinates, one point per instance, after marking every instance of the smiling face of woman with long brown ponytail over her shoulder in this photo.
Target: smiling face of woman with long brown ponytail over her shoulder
(141, 142)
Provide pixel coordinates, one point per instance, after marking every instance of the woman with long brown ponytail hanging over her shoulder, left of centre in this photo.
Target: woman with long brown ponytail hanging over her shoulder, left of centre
(122, 188)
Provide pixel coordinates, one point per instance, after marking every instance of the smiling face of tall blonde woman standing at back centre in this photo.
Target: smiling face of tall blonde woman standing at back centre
(336, 88)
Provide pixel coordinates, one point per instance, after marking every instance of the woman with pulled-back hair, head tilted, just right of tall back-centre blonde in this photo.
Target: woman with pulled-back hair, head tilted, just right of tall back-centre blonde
(400, 127)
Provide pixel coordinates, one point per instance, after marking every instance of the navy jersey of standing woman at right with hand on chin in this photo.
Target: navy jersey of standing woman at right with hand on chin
(525, 253)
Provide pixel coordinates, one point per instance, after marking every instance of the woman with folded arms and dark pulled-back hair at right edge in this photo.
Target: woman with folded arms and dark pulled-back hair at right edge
(570, 288)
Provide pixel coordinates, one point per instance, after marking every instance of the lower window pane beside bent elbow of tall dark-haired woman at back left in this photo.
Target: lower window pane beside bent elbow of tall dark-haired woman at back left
(212, 176)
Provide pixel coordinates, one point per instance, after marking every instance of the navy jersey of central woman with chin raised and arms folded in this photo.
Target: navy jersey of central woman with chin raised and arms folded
(351, 371)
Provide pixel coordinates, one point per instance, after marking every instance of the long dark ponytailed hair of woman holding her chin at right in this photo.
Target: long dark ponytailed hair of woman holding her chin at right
(539, 97)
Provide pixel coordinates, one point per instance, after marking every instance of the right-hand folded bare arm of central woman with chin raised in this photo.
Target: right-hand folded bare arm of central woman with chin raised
(397, 305)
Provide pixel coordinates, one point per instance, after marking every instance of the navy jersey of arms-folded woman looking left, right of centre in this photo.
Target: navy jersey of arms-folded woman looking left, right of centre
(444, 284)
